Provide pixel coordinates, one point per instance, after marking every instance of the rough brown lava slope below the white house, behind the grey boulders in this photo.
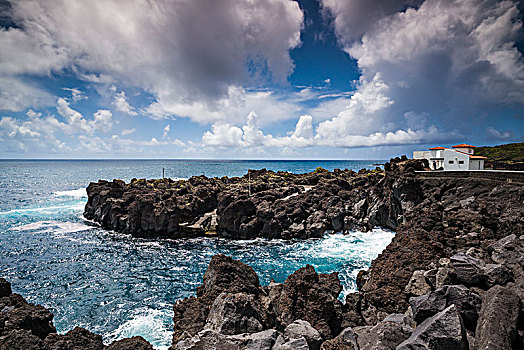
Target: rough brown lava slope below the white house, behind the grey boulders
(452, 216)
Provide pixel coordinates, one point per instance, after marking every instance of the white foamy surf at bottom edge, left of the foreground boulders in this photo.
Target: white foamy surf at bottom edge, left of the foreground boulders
(152, 324)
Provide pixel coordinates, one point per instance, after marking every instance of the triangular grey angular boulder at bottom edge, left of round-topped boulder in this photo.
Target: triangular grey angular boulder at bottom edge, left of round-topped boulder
(443, 331)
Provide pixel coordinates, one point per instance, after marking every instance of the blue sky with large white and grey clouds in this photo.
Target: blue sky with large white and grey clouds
(265, 79)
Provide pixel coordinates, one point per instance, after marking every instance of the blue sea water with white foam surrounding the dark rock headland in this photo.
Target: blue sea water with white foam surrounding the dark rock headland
(120, 286)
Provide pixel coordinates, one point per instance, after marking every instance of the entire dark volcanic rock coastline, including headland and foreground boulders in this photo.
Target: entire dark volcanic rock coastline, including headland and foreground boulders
(452, 278)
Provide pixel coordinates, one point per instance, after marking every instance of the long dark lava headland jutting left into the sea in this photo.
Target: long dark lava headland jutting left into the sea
(261, 204)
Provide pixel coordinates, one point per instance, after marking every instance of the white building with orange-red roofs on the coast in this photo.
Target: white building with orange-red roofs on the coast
(459, 157)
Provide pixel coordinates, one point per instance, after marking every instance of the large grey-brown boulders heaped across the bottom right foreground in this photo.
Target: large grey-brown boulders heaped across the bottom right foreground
(304, 312)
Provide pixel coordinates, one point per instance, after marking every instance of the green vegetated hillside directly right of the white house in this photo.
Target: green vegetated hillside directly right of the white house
(509, 156)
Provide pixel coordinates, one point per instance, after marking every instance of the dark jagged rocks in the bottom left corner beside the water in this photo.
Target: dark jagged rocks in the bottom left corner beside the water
(28, 326)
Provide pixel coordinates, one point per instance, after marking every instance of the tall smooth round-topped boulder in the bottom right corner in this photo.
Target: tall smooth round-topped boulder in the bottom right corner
(497, 324)
